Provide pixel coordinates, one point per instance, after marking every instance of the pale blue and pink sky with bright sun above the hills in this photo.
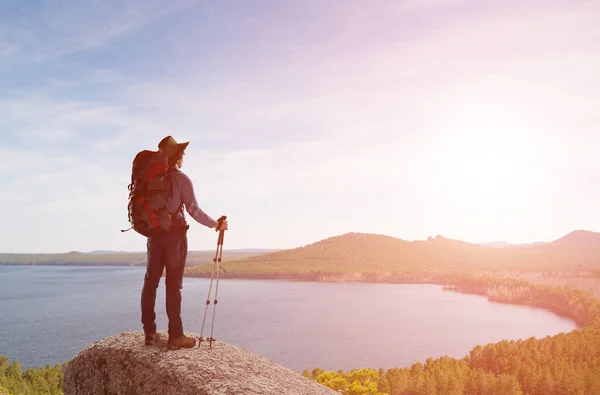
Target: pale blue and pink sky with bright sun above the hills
(306, 119)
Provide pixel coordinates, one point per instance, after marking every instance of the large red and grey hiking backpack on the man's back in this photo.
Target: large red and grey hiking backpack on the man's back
(148, 193)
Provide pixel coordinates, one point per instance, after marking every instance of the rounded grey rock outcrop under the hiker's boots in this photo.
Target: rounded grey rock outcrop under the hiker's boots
(123, 365)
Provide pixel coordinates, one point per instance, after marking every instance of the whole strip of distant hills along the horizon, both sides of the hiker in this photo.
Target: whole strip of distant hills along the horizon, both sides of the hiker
(361, 252)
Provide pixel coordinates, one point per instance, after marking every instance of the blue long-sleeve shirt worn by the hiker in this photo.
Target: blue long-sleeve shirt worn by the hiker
(183, 192)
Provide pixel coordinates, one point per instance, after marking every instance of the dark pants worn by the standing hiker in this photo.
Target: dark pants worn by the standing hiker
(170, 253)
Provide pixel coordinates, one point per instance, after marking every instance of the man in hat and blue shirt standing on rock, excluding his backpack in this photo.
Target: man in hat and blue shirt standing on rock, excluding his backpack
(170, 252)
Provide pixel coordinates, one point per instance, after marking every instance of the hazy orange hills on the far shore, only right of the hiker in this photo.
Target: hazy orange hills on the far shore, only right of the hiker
(373, 253)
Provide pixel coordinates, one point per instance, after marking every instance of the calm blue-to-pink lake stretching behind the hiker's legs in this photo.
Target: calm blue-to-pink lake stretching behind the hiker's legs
(48, 314)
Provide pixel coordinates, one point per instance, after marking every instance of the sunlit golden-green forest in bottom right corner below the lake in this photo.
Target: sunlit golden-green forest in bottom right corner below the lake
(567, 363)
